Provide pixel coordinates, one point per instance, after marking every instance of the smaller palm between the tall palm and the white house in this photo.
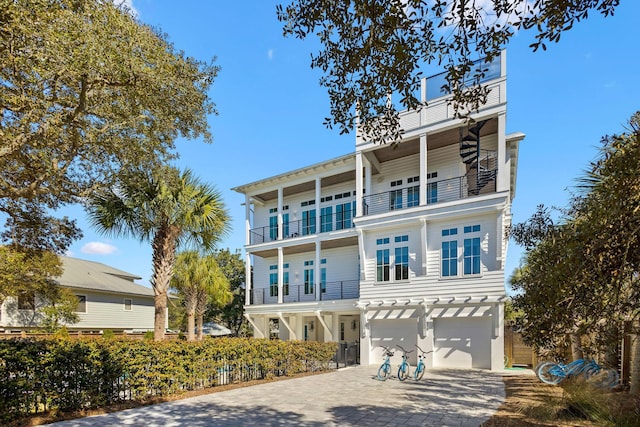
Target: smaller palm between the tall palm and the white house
(200, 282)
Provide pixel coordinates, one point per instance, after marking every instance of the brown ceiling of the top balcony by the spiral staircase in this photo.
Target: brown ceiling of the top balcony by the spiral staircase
(434, 141)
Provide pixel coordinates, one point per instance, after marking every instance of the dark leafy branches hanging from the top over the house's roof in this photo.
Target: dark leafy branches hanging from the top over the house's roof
(373, 48)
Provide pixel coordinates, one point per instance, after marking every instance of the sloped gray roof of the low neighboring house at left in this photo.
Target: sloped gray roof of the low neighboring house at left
(89, 275)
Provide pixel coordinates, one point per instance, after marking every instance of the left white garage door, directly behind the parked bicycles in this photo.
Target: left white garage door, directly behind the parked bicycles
(391, 333)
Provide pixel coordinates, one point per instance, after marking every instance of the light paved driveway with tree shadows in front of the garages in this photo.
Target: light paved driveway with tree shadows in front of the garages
(349, 397)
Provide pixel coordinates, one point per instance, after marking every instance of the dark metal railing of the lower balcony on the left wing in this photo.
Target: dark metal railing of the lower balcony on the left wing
(344, 289)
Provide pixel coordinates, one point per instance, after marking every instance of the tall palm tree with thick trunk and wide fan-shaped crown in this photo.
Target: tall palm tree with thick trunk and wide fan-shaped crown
(168, 208)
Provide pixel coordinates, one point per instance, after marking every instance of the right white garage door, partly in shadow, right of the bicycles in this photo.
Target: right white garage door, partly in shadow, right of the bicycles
(462, 343)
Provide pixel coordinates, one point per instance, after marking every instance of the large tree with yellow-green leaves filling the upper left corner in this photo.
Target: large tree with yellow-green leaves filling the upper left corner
(84, 90)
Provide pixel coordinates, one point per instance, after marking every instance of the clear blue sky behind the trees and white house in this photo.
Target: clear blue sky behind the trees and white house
(272, 108)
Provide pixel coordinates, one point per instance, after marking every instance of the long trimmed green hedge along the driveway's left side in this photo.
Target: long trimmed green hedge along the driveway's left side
(39, 375)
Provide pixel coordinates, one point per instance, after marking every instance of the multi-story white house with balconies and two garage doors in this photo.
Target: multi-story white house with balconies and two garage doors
(391, 245)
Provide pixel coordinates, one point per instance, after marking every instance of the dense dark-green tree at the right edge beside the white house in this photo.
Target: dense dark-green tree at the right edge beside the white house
(580, 276)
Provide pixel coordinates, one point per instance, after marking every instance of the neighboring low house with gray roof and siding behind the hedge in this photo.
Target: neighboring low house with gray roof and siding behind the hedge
(108, 299)
